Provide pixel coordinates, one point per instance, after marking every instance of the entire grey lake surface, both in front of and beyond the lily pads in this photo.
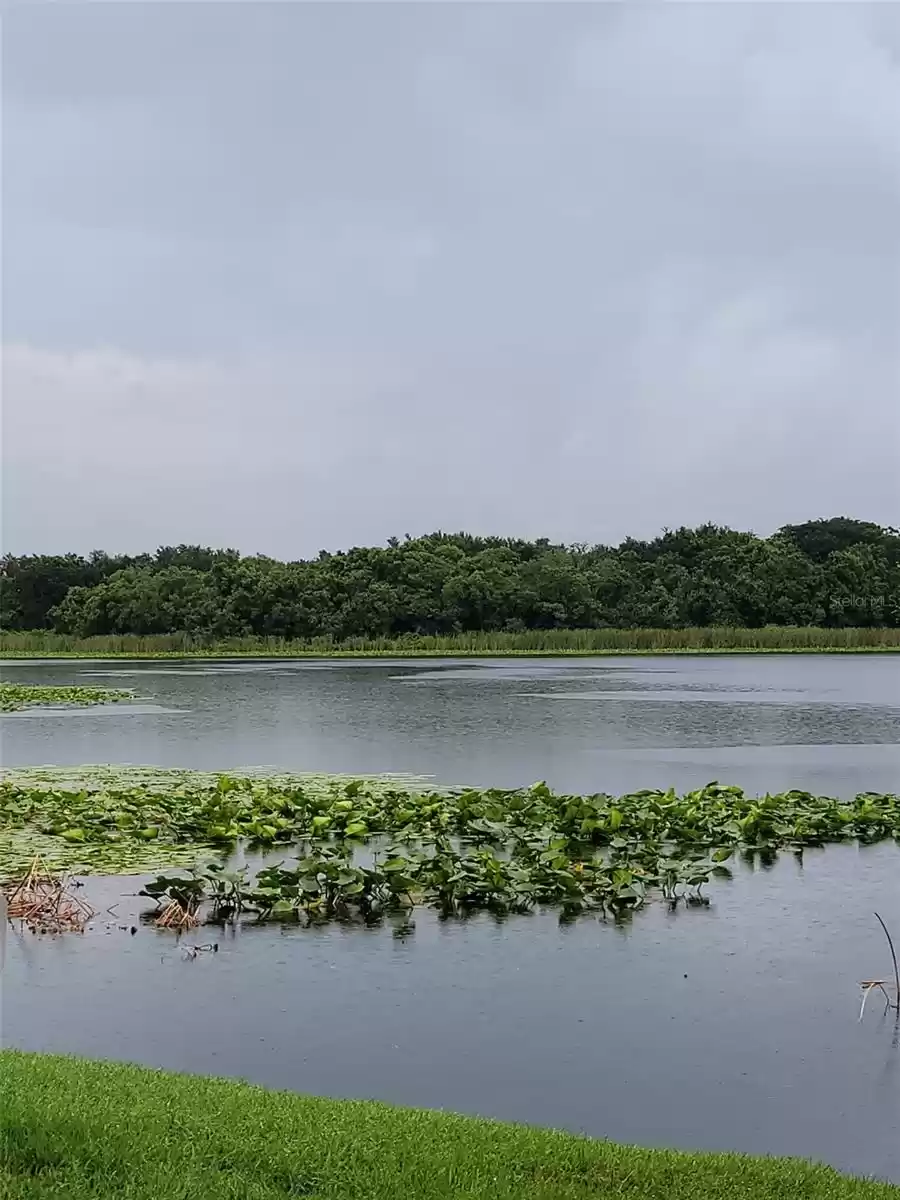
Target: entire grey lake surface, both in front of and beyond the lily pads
(729, 1028)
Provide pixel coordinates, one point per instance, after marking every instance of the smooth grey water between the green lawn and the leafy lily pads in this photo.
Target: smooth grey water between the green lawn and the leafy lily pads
(729, 1028)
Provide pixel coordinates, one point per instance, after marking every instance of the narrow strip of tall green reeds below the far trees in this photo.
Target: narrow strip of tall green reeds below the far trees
(533, 644)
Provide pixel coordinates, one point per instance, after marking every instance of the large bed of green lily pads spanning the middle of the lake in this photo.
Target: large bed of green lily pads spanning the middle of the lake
(363, 848)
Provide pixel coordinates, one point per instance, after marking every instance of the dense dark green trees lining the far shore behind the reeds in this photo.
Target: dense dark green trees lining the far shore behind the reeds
(827, 573)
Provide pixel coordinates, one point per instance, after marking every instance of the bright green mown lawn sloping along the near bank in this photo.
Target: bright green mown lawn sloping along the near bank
(81, 1130)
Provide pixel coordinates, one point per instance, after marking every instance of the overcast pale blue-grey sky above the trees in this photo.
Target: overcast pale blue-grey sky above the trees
(287, 277)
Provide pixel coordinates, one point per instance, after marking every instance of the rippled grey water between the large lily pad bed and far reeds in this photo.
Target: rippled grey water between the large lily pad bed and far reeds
(827, 724)
